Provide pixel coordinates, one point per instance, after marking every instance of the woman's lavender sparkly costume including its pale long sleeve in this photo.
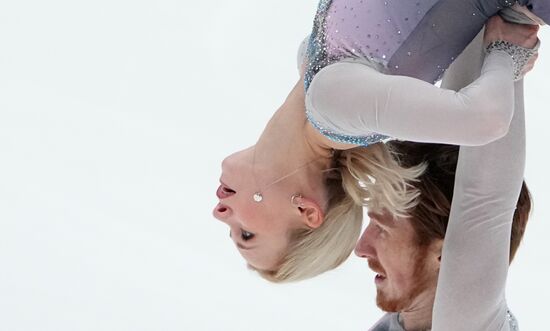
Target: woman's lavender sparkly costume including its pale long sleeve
(418, 39)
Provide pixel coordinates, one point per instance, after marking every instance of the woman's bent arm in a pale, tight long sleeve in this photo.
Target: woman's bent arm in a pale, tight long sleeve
(352, 98)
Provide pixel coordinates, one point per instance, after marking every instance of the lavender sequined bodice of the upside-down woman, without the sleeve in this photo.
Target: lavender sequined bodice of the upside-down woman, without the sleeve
(417, 38)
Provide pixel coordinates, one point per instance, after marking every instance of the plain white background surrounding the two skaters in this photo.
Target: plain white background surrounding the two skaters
(114, 117)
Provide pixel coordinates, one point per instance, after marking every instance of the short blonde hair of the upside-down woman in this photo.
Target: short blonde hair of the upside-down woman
(360, 177)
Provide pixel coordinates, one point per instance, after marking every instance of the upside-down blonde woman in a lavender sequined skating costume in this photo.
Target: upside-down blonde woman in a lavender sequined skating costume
(294, 200)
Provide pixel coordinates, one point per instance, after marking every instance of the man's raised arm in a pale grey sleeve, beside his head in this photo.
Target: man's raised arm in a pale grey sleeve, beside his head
(474, 265)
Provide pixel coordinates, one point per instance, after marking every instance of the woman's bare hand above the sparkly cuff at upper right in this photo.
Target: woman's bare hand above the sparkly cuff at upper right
(519, 34)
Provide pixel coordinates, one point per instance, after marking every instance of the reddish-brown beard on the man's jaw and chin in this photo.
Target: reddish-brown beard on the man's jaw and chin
(420, 279)
